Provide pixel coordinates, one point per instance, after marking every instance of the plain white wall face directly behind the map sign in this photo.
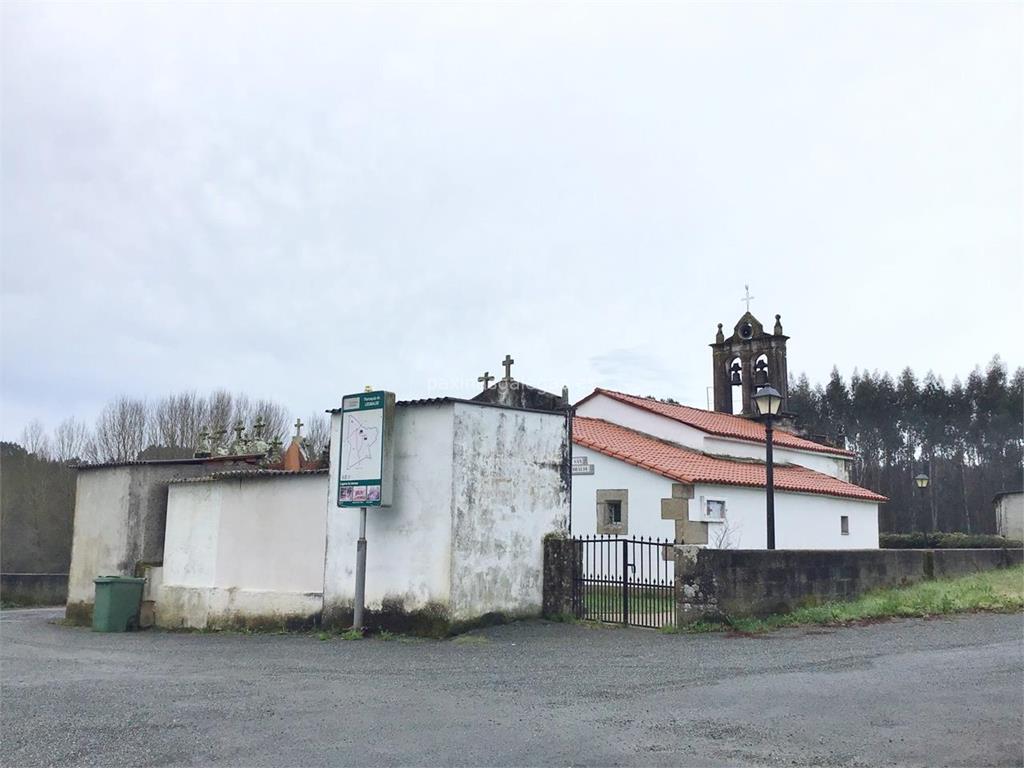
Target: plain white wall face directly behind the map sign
(409, 566)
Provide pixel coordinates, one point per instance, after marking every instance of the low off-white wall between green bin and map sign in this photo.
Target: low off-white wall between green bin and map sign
(244, 551)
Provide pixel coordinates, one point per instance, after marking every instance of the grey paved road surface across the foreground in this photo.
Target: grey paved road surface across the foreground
(910, 693)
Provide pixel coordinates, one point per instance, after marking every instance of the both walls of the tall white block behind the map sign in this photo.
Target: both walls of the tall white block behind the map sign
(477, 488)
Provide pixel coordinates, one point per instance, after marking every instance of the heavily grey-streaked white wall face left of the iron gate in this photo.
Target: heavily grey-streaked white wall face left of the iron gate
(509, 492)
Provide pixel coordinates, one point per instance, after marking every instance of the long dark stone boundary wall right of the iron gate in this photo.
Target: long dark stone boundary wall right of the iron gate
(712, 584)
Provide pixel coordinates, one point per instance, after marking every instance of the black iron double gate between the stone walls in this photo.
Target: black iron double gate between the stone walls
(625, 581)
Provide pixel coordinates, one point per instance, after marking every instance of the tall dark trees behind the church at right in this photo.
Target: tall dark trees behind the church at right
(968, 438)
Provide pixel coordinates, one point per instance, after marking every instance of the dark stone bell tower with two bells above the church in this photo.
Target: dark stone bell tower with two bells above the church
(750, 359)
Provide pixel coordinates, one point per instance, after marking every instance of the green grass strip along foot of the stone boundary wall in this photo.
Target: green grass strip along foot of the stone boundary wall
(998, 591)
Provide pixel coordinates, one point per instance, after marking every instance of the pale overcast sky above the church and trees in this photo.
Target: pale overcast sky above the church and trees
(300, 201)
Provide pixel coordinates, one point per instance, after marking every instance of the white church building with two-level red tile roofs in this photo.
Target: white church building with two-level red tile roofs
(647, 468)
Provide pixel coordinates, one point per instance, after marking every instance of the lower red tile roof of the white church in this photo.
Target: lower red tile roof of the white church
(687, 465)
